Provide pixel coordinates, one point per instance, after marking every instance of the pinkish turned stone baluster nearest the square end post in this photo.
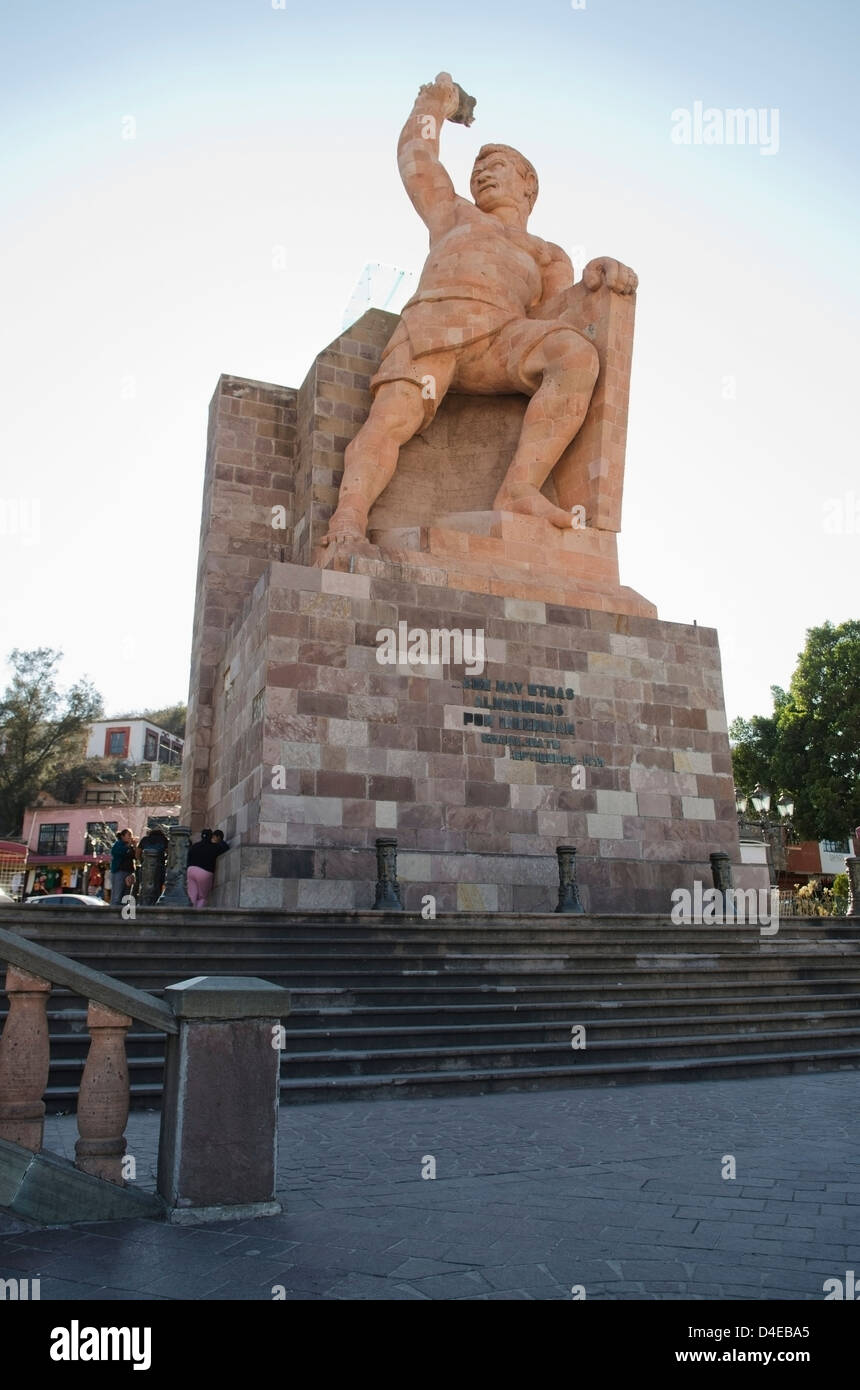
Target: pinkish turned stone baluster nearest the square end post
(104, 1097)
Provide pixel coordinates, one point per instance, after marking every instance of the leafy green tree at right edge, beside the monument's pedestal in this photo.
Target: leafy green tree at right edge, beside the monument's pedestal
(811, 744)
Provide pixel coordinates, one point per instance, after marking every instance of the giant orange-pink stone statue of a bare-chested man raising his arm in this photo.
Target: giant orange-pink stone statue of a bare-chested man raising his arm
(474, 325)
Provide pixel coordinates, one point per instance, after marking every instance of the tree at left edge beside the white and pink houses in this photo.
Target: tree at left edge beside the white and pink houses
(41, 730)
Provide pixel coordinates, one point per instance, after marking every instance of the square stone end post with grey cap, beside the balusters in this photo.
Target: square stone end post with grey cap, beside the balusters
(219, 1143)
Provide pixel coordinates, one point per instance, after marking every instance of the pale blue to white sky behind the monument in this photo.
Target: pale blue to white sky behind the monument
(195, 188)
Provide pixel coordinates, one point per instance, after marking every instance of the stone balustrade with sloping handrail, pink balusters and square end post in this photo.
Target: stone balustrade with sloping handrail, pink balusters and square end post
(219, 1145)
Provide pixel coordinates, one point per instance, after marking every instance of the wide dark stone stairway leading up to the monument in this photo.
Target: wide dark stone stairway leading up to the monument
(387, 1006)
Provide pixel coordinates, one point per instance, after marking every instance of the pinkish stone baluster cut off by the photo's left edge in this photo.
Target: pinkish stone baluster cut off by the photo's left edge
(24, 1060)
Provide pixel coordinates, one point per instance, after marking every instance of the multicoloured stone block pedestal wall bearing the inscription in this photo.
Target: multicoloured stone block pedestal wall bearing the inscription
(352, 750)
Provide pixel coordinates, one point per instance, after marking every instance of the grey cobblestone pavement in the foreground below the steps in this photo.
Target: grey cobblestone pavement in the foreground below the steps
(616, 1191)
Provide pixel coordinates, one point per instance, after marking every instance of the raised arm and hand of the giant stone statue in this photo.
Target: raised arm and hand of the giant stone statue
(426, 179)
